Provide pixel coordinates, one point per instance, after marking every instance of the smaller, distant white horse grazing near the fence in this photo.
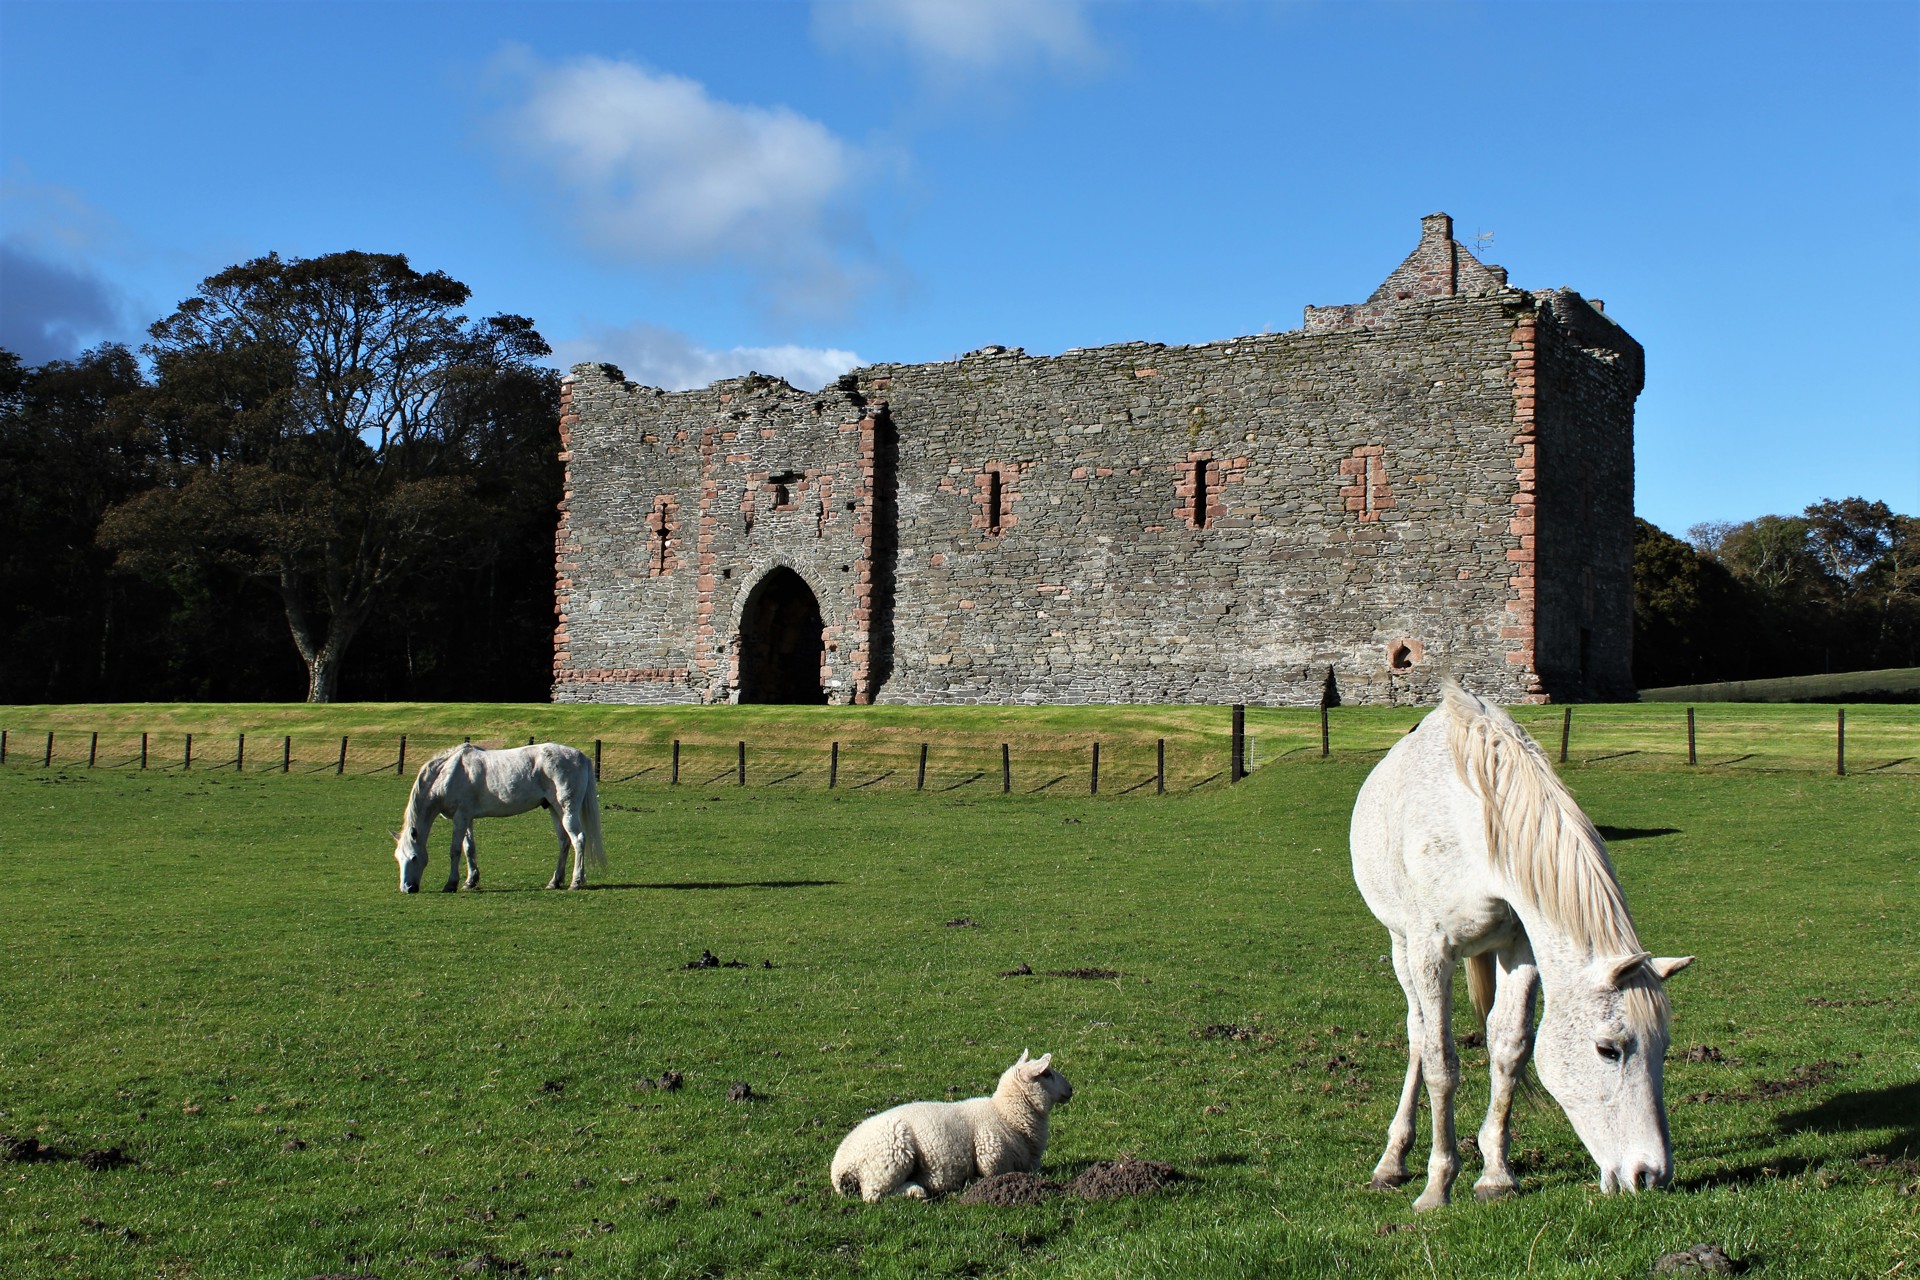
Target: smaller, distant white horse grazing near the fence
(466, 784)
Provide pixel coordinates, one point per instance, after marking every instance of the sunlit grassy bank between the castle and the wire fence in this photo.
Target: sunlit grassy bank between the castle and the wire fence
(1049, 747)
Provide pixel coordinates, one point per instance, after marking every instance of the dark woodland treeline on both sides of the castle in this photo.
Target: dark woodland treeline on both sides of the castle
(318, 479)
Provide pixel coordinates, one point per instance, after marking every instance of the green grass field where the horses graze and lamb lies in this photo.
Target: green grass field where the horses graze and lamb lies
(312, 1074)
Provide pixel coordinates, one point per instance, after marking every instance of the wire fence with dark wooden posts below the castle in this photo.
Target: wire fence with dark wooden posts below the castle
(1214, 747)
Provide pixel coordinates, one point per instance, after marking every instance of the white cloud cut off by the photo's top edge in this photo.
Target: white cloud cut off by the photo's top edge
(963, 37)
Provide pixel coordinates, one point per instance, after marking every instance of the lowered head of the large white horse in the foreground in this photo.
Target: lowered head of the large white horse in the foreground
(1602, 1053)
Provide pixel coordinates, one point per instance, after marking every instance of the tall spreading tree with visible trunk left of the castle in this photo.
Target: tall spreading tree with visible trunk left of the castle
(322, 425)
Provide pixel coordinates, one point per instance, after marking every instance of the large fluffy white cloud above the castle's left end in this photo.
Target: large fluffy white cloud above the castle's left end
(656, 170)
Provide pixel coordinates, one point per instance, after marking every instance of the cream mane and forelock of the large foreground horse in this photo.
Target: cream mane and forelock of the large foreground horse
(1545, 847)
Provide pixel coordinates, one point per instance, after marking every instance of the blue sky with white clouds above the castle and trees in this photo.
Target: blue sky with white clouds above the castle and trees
(696, 189)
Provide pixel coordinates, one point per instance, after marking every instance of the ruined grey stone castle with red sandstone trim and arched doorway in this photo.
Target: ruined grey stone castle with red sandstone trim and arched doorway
(1433, 483)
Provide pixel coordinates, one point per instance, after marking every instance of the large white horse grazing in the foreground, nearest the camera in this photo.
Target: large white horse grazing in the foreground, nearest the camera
(1468, 847)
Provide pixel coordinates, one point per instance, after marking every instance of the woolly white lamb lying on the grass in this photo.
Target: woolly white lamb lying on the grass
(930, 1149)
